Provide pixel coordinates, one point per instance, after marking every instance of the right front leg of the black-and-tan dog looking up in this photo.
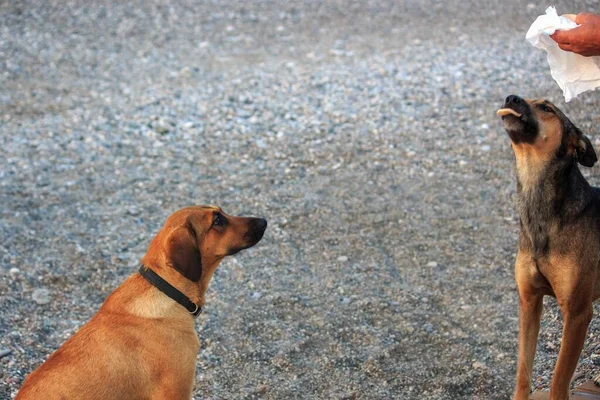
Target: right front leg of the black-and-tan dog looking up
(575, 324)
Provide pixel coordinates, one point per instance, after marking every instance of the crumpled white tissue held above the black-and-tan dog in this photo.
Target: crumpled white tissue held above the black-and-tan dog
(574, 73)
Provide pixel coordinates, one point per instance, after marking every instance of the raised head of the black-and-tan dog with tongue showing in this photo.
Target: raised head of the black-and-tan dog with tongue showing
(539, 129)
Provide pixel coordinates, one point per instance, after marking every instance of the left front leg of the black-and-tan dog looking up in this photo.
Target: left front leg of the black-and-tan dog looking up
(530, 314)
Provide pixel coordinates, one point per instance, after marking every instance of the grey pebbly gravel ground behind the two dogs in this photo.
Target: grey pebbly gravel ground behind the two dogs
(364, 131)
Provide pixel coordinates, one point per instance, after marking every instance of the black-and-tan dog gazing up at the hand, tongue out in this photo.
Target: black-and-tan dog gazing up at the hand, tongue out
(559, 243)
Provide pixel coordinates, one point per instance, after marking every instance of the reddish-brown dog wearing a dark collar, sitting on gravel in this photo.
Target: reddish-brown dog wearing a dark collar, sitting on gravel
(142, 344)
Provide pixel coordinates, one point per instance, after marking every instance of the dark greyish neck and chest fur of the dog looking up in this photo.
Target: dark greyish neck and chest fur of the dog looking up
(557, 194)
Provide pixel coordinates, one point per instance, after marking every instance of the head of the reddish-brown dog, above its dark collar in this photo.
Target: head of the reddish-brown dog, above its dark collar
(194, 240)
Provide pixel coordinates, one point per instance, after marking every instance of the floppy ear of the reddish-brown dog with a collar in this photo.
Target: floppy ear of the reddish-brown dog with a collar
(183, 252)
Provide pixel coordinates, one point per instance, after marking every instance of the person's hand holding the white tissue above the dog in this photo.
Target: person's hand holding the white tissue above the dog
(583, 40)
